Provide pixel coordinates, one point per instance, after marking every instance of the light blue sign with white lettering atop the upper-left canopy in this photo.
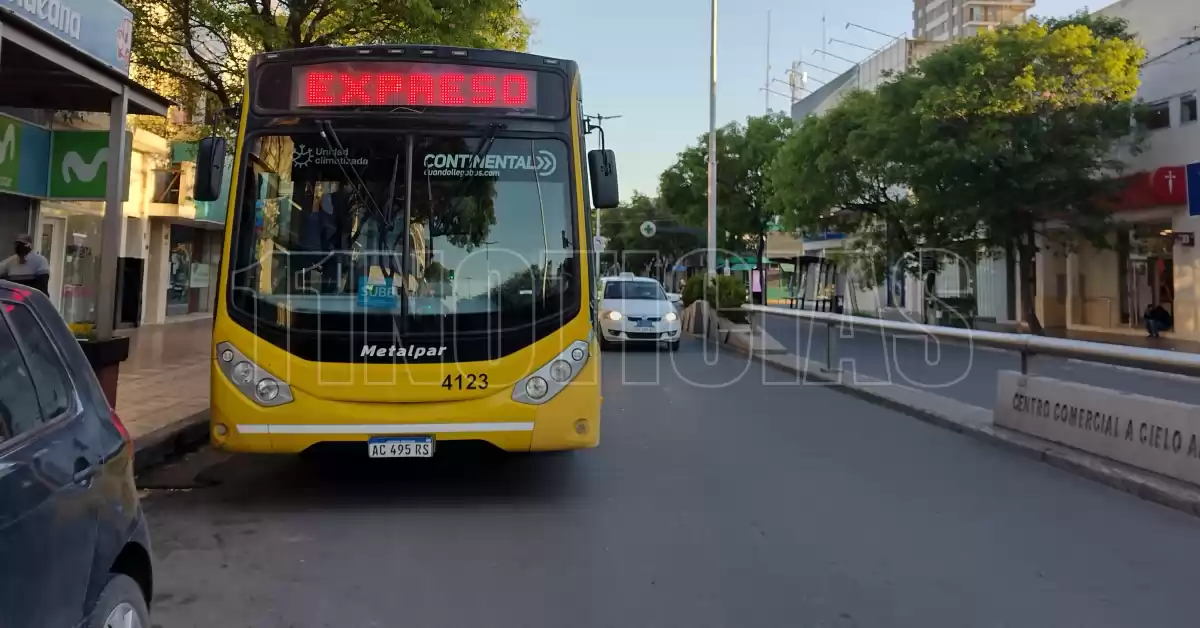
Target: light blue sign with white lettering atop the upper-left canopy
(101, 29)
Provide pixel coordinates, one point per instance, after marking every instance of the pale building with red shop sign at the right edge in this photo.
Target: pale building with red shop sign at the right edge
(1151, 259)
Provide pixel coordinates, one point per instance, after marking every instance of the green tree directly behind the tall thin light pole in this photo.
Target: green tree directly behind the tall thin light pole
(745, 153)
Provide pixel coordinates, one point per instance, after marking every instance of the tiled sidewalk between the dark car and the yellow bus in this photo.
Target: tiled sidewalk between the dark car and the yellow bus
(166, 379)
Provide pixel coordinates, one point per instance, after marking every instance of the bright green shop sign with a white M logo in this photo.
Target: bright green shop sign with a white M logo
(80, 165)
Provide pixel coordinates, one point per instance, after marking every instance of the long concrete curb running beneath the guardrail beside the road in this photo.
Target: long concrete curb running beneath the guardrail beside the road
(976, 423)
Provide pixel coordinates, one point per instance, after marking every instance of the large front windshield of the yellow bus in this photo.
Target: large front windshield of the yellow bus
(411, 234)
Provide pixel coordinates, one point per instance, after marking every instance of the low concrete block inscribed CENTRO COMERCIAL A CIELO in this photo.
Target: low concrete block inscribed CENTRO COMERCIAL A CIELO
(1151, 434)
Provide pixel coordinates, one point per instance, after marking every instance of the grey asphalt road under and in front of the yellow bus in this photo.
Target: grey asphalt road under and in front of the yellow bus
(715, 501)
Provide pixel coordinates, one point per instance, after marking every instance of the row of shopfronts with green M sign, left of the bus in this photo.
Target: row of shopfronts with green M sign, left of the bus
(170, 247)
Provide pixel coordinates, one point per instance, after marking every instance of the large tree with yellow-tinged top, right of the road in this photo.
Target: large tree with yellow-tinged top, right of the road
(1019, 129)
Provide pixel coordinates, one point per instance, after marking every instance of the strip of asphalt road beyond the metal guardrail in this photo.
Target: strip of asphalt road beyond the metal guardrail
(963, 372)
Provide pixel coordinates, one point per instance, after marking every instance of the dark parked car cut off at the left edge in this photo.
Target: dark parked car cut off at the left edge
(75, 551)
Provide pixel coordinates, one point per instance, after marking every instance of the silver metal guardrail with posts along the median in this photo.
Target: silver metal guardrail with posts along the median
(1025, 344)
